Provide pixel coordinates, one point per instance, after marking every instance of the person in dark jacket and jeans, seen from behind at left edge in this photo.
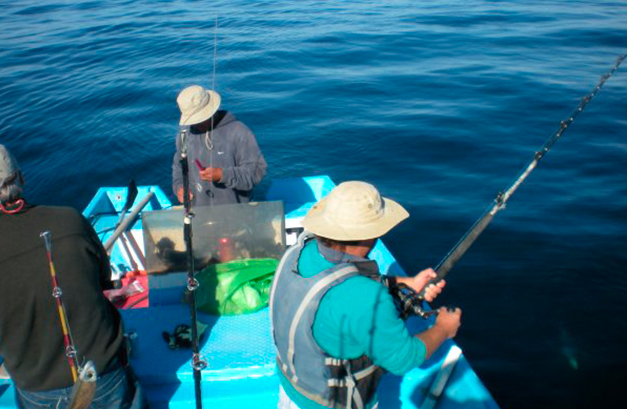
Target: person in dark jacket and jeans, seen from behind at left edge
(31, 334)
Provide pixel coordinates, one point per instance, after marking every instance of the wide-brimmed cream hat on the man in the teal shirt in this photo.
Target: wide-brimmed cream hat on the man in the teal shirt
(354, 211)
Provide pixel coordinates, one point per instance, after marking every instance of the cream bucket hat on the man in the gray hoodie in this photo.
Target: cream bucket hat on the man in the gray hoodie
(197, 104)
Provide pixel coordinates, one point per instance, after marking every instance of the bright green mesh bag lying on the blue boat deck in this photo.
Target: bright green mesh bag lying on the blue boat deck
(236, 287)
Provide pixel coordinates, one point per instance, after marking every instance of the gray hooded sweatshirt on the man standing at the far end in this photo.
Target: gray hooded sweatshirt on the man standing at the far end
(232, 147)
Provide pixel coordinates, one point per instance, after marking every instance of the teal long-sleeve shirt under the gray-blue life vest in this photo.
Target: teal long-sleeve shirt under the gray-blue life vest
(354, 318)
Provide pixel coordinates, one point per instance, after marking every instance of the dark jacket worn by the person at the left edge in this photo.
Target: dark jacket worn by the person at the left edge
(31, 337)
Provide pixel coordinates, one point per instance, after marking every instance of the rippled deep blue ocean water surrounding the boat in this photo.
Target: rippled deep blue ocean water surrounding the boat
(439, 104)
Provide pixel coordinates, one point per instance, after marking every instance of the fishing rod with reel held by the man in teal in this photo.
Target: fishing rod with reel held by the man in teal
(411, 301)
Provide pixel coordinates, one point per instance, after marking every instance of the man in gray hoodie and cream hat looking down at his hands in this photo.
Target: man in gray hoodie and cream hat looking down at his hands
(225, 162)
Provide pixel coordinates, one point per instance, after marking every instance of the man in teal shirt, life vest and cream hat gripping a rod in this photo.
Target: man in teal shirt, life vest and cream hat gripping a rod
(335, 324)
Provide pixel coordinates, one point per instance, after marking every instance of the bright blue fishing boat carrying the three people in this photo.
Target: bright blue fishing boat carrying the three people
(237, 349)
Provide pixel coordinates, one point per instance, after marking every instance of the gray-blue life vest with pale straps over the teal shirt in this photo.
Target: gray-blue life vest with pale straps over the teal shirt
(294, 301)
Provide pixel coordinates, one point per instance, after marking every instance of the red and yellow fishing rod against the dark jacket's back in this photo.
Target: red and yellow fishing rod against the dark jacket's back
(85, 376)
